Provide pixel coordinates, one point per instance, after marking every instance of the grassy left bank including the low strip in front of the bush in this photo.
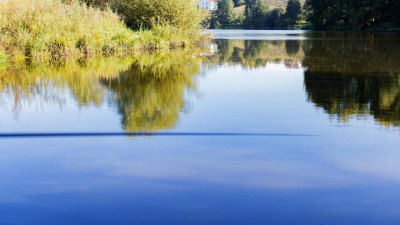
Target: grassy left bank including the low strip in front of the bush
(42, 30)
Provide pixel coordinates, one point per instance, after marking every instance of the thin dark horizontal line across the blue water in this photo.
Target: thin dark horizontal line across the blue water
(96, 134)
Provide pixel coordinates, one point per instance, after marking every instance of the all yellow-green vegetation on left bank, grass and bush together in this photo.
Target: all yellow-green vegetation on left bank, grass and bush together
(43, 30)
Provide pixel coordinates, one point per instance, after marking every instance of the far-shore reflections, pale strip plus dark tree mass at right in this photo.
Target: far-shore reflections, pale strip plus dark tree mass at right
(347, 74)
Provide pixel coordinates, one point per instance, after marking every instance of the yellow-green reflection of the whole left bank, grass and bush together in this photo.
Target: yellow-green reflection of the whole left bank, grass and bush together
(148, 90)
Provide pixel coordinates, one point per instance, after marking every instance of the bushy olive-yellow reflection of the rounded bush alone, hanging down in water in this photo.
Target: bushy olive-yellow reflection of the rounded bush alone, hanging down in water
(150, 99)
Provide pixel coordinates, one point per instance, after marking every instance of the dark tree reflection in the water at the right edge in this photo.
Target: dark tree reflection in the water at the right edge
(354, 74)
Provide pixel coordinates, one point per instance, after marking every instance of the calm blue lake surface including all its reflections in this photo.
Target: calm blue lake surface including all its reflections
(344, 87)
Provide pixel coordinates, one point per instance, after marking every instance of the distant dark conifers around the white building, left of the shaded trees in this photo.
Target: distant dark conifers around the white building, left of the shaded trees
(256, 14)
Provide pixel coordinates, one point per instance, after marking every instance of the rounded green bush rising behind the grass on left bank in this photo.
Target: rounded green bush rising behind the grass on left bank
(179, 17)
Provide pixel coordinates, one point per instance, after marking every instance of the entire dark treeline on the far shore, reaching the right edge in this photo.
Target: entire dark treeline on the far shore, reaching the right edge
(317, 14)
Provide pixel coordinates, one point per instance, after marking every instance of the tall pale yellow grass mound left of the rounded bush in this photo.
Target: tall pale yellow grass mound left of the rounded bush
(49, 28)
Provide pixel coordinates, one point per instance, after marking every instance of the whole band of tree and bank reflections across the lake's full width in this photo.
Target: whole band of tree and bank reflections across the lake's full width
(347, 74)
